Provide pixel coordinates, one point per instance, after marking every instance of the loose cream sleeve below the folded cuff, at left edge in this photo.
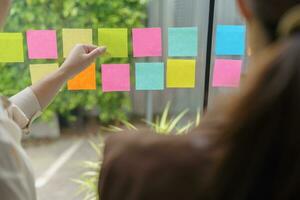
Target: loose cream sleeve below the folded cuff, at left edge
(16, 174)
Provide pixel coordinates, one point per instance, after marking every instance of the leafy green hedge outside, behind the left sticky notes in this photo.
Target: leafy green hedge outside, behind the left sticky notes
(58, 14)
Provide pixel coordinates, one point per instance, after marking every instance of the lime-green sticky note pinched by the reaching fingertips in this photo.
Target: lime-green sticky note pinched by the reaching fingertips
(116, 41)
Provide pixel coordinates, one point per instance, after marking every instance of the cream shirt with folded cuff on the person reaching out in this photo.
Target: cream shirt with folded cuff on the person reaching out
(16, 174)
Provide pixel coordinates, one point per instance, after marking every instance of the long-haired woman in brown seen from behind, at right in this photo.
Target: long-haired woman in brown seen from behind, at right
(246, 148)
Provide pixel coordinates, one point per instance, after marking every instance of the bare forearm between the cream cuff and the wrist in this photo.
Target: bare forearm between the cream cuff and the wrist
(46, 89)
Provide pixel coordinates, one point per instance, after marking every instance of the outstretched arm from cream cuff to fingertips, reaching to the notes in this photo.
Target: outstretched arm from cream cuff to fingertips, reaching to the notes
(37, 97)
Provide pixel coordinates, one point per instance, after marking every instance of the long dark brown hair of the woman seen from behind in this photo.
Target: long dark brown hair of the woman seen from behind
(260, 126)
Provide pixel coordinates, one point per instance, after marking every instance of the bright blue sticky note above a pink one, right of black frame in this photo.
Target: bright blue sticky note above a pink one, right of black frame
(230, 40)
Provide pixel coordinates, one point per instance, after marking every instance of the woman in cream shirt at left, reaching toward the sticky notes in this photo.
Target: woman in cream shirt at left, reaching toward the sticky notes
(17, 113)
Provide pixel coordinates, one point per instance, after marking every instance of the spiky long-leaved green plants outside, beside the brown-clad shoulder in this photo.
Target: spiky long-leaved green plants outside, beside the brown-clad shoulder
(163, 125)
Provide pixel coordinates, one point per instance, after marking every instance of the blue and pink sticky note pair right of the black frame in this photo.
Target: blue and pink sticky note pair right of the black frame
(230, 41)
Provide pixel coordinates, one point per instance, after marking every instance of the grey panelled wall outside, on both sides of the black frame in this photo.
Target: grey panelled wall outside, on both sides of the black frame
(186, 13)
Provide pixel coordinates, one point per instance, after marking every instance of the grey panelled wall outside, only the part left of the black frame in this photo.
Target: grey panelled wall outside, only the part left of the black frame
(177, 13)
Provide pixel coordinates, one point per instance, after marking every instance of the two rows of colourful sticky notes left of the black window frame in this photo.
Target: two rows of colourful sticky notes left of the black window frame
(179, 71)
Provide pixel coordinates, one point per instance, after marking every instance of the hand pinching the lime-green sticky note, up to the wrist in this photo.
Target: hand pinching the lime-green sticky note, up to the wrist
(80, 58)
